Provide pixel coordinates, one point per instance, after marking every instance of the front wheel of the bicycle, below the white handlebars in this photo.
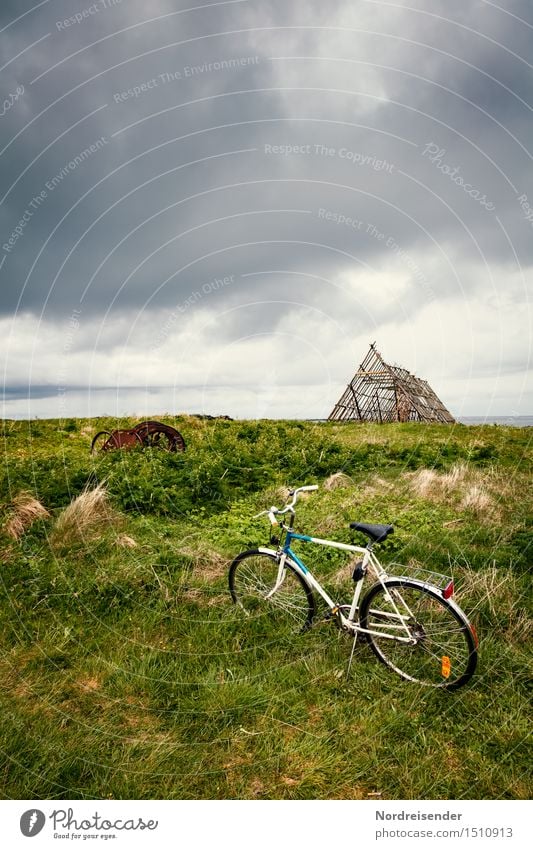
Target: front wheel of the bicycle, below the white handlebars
(255, 585)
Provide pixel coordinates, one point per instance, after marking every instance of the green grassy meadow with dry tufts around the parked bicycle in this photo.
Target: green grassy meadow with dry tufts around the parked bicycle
(128, 673)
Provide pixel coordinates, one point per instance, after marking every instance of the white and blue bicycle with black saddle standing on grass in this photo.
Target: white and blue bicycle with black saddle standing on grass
(411, 623)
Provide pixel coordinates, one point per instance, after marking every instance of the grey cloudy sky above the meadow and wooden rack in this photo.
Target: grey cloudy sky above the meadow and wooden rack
(215, 207)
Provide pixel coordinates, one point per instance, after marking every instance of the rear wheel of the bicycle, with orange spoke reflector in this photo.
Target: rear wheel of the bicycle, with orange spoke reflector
(441, 650)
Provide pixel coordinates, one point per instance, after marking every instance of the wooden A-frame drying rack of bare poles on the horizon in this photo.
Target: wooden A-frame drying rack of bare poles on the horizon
(379, 392)
